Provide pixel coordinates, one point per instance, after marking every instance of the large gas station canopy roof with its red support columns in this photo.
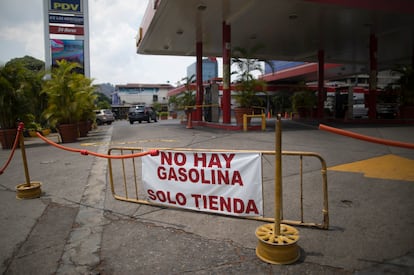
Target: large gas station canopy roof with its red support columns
(365, 36)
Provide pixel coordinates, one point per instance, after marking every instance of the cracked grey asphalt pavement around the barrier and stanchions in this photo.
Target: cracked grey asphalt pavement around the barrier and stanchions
(78, 227)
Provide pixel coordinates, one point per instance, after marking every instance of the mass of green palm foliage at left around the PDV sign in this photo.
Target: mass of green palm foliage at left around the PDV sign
(27, 94)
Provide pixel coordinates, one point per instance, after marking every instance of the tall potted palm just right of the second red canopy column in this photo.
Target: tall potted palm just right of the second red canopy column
(247, 84)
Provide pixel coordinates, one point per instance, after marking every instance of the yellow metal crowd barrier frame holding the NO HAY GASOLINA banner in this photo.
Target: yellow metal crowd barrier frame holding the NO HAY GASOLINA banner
(125, 181)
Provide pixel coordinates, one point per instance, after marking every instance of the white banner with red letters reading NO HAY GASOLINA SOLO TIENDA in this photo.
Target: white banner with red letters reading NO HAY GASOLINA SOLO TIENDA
(223, 182)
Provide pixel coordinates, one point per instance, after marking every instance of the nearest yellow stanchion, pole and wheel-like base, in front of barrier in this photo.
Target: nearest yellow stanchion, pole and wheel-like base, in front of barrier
(278, 242)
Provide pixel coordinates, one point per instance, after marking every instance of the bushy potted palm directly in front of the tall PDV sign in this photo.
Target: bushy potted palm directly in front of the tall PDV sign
(66, 92)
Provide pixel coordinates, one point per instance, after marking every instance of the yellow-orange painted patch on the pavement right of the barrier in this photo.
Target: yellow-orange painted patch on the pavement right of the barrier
(385, 167)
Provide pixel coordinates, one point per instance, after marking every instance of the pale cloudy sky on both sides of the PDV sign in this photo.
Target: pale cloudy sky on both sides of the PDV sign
(113, 28)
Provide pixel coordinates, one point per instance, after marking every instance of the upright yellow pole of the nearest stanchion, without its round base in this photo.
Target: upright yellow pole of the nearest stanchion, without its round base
(278, 174)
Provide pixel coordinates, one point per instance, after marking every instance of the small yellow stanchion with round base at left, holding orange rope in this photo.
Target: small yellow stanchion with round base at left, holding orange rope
(30, 189)
